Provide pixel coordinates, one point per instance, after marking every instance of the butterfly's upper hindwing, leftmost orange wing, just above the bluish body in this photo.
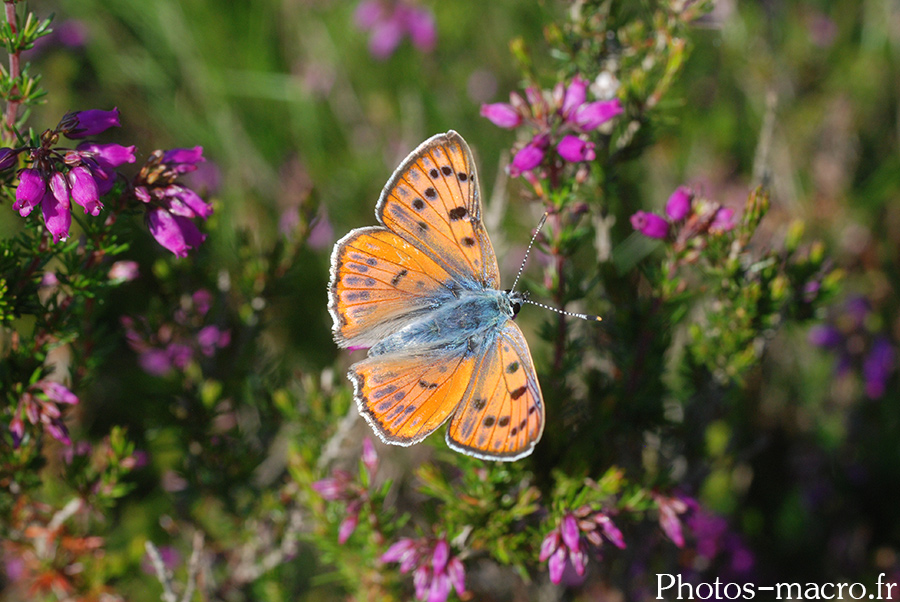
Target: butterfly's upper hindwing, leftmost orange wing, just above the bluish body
(378, 283)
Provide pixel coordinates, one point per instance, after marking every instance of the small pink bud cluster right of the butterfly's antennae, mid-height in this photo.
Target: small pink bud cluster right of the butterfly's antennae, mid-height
(685, 212)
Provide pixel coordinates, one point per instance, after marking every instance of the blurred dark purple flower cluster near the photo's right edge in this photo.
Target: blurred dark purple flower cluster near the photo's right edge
(857, 347)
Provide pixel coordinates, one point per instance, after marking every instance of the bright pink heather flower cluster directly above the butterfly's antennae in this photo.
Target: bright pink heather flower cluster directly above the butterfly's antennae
(561, 119)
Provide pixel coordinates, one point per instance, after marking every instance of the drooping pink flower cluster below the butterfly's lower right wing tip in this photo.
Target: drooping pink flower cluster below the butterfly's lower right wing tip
(569, 542)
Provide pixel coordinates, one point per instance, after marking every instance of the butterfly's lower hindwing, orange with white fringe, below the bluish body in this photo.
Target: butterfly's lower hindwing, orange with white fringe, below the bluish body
(405, 397)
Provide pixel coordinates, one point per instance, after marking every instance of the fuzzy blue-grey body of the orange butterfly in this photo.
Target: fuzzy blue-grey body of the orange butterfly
(464, 322)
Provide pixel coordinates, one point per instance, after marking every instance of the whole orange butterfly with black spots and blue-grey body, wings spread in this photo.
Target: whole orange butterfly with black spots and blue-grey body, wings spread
(421, 292)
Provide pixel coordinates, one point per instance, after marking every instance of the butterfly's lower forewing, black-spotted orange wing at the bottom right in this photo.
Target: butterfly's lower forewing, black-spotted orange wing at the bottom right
(502, 417)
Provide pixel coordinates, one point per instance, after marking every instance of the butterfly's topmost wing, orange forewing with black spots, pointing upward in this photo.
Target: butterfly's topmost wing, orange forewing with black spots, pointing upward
(433, 201)
